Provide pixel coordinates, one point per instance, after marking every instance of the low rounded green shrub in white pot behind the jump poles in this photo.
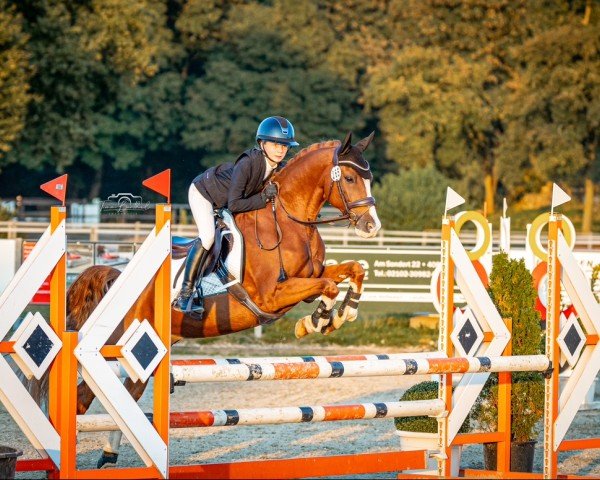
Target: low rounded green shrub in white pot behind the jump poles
(420, 433)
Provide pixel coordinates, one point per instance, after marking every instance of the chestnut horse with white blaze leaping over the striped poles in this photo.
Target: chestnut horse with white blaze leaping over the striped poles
(331, 171)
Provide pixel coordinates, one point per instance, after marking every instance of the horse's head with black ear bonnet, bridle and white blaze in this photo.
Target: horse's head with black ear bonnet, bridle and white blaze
(353, 196)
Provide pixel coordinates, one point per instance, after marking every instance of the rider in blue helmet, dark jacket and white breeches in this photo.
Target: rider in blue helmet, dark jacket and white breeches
(239, 186)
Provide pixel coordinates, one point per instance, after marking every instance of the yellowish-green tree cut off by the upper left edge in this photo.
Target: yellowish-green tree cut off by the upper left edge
(15, 72)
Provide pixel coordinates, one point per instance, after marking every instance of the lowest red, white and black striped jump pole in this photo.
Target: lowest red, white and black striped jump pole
(279, 415)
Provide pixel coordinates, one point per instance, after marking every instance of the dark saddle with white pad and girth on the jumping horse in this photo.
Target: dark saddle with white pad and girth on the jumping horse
(223, 270)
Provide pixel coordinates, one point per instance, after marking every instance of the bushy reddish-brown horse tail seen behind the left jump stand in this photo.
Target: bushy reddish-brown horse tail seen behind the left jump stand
(82, 297)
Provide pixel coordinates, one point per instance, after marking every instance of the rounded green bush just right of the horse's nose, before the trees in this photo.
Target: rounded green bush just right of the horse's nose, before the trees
(412, 200)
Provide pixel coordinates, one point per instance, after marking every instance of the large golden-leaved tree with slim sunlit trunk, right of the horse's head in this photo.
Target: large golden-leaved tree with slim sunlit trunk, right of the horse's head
(440, 95)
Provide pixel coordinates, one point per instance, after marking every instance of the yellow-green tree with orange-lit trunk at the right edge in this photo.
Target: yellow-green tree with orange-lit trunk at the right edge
(556, 103)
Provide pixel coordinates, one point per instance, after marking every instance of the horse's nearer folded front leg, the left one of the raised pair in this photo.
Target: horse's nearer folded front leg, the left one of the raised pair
(294, 290)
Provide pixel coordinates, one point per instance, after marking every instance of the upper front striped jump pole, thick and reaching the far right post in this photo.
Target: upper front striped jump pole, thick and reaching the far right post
(183, 372)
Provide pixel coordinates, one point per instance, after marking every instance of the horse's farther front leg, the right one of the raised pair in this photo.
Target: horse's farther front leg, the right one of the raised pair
(348, 310)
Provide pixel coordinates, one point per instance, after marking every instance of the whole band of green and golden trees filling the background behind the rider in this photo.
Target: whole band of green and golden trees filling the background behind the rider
(109, 91)
